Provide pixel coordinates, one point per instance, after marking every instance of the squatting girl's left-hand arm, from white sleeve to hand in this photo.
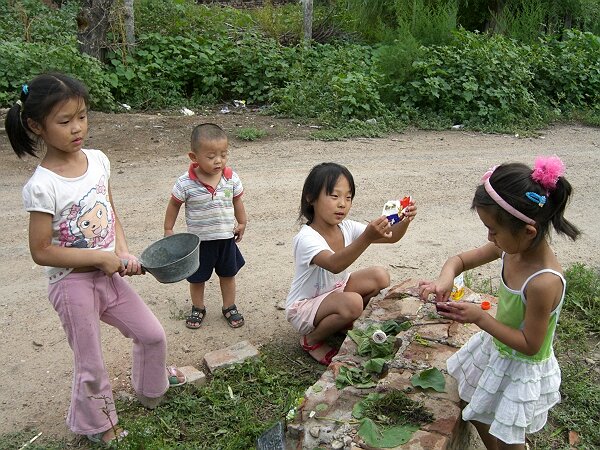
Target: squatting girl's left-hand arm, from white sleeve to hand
(342, 259)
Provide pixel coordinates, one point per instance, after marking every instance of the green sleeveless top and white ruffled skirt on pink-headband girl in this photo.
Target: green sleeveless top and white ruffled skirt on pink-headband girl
(508, 390)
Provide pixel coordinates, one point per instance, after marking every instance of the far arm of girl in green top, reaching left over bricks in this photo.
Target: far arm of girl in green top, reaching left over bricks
(456, 265)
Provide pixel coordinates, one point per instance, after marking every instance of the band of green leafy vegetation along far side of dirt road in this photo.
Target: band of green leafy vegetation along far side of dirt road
(407, 61)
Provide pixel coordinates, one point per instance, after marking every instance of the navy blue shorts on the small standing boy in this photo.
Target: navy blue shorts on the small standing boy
(222, 255)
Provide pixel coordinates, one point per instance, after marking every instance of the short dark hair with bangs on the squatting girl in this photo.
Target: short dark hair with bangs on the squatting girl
(323, 176)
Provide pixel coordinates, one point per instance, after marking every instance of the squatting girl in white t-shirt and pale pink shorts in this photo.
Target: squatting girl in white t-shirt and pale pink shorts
(324, 298)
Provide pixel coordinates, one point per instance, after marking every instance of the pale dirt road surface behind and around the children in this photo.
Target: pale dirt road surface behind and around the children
(439, 169)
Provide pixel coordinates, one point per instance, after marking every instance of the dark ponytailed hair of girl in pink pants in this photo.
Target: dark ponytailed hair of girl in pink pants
(38, 99)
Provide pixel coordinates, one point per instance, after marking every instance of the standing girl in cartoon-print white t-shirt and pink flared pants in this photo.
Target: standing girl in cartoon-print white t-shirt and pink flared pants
(75, 233)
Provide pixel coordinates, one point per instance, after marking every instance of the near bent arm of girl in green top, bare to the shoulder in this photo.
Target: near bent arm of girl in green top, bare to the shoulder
(542, 293)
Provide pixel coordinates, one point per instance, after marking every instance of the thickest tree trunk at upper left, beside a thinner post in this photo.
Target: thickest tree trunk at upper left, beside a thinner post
(92, 25)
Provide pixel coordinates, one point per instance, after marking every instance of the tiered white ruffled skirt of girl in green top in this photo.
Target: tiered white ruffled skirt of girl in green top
(510, 395)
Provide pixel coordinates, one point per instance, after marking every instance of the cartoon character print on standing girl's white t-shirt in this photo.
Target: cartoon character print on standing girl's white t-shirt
(89, 223)
